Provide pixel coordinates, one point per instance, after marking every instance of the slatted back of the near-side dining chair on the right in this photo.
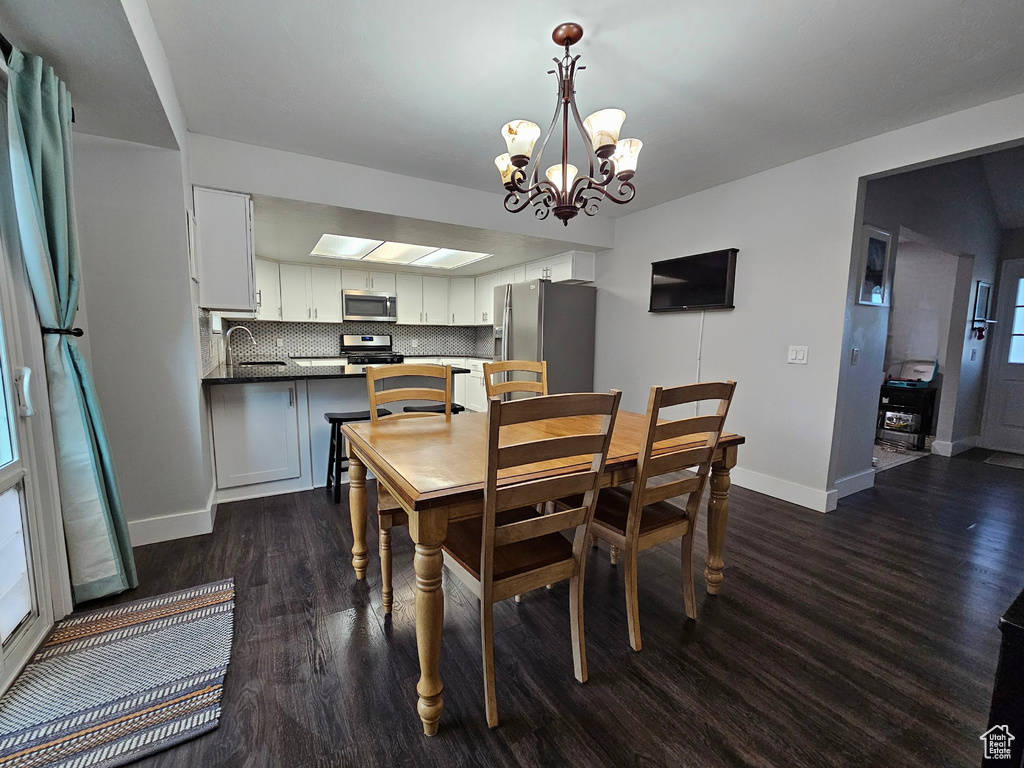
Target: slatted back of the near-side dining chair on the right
(658, 459)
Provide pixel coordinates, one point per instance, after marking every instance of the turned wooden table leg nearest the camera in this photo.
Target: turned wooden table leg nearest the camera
(429, 530)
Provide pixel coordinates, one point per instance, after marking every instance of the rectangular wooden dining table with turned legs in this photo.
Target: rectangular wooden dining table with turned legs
(435, 468)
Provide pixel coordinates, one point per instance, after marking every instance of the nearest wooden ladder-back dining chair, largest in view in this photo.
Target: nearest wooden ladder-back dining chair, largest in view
(514, 548)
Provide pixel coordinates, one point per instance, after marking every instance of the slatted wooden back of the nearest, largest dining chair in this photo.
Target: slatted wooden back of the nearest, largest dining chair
(587, 441)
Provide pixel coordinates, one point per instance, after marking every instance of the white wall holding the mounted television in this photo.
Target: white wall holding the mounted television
(794, 227)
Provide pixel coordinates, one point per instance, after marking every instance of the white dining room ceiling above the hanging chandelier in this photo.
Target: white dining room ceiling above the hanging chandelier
(717, 92)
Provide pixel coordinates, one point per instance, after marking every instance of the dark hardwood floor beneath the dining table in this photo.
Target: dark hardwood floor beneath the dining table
(866, 637)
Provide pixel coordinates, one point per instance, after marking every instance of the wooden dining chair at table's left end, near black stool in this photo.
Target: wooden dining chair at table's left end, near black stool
(390, 513)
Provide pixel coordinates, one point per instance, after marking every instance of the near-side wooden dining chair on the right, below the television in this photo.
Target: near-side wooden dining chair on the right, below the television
(635, 521)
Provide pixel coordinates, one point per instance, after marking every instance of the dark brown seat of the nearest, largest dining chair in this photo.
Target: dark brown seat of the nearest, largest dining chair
(464, 541)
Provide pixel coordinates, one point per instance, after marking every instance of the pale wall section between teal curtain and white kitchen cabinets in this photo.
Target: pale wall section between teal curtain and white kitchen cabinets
(136, 273)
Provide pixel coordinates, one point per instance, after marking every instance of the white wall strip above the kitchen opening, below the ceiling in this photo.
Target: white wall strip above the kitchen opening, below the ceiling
(232, 165)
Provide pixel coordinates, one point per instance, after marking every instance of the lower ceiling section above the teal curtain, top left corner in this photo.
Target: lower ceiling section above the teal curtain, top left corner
(92, 48)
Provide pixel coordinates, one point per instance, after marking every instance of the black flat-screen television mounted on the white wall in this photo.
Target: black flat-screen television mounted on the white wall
(705, 281)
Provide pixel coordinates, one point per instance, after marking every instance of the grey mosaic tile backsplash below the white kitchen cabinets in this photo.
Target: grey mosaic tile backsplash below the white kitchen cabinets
(321, 339)
